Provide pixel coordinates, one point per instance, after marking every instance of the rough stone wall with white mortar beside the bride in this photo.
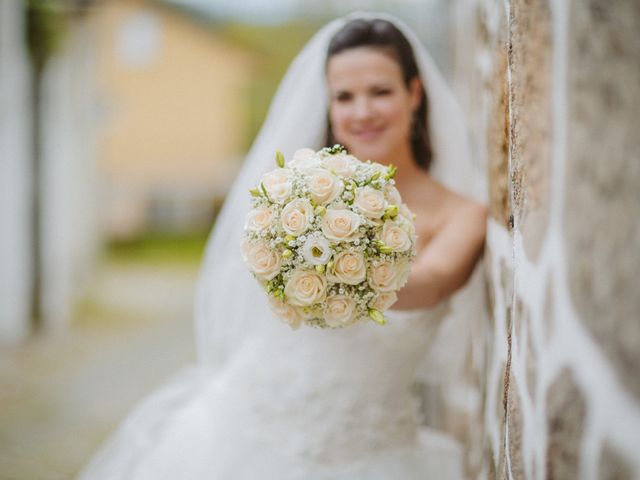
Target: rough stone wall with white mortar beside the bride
(552, 93)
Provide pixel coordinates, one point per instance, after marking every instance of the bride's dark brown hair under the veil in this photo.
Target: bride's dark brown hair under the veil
(381, 34)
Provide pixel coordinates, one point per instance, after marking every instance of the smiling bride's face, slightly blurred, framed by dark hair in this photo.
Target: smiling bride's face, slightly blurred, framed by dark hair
(371, 106)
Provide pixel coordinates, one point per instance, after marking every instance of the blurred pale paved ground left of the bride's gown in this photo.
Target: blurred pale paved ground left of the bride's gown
(61, 396)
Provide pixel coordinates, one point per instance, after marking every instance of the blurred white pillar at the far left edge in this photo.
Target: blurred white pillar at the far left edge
(14, 175)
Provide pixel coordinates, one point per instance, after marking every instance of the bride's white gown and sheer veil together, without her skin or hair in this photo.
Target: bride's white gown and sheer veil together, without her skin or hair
(267, 402)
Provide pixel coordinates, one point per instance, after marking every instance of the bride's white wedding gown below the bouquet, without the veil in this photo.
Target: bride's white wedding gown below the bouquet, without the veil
(308, 404)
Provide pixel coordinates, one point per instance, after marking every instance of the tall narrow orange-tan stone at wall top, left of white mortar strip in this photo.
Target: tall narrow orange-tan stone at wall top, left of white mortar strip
(530, 97)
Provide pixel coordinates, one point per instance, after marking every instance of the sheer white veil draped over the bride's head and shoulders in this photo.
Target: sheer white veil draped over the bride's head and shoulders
(229, 303)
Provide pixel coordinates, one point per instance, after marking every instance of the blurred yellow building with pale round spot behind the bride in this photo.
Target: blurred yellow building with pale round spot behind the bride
(173, 116)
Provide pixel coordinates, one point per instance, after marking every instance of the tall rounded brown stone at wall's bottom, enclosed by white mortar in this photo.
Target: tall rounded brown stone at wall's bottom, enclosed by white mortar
(565, 412)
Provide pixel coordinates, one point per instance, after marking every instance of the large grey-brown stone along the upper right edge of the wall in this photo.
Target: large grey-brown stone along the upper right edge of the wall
(601, 219)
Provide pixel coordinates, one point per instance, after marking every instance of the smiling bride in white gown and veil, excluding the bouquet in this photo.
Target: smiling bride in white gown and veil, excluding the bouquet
(267, 402)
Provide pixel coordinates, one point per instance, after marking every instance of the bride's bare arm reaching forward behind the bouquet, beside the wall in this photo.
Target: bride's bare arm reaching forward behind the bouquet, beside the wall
(447, 261)
